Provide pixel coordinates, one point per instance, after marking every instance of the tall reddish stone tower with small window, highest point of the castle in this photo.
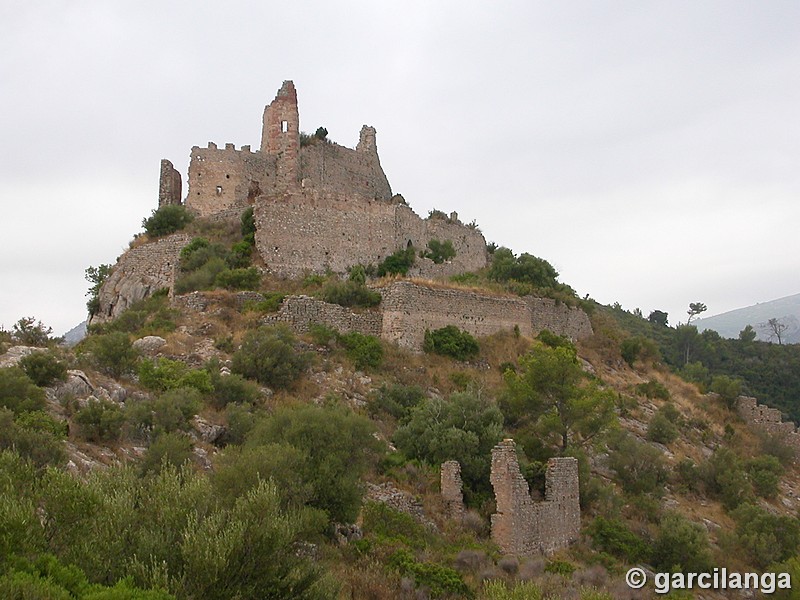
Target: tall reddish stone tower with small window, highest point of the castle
(280, 135)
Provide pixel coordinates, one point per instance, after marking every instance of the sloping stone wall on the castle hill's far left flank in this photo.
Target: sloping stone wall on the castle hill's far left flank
(140, 272)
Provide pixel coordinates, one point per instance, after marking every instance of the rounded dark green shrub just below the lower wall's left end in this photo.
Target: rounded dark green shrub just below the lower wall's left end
(268, 356)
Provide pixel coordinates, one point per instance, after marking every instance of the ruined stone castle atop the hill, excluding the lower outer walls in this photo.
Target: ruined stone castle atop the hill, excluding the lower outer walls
(318, 206)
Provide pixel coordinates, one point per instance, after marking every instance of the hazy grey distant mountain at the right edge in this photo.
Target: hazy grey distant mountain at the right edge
(786, 310)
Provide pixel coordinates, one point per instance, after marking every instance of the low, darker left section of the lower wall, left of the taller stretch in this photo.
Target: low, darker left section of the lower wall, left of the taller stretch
(301, 311)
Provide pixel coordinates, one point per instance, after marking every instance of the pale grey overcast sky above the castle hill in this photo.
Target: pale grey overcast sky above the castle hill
(649, 150)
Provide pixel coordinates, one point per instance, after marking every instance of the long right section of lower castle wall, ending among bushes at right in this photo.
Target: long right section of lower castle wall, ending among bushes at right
(409, 309)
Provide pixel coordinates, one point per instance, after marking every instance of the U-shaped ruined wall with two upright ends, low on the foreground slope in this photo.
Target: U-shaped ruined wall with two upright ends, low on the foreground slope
(523, 527)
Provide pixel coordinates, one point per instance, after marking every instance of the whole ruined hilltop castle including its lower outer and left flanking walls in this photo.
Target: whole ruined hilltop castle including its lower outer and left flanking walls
(320, 207)
